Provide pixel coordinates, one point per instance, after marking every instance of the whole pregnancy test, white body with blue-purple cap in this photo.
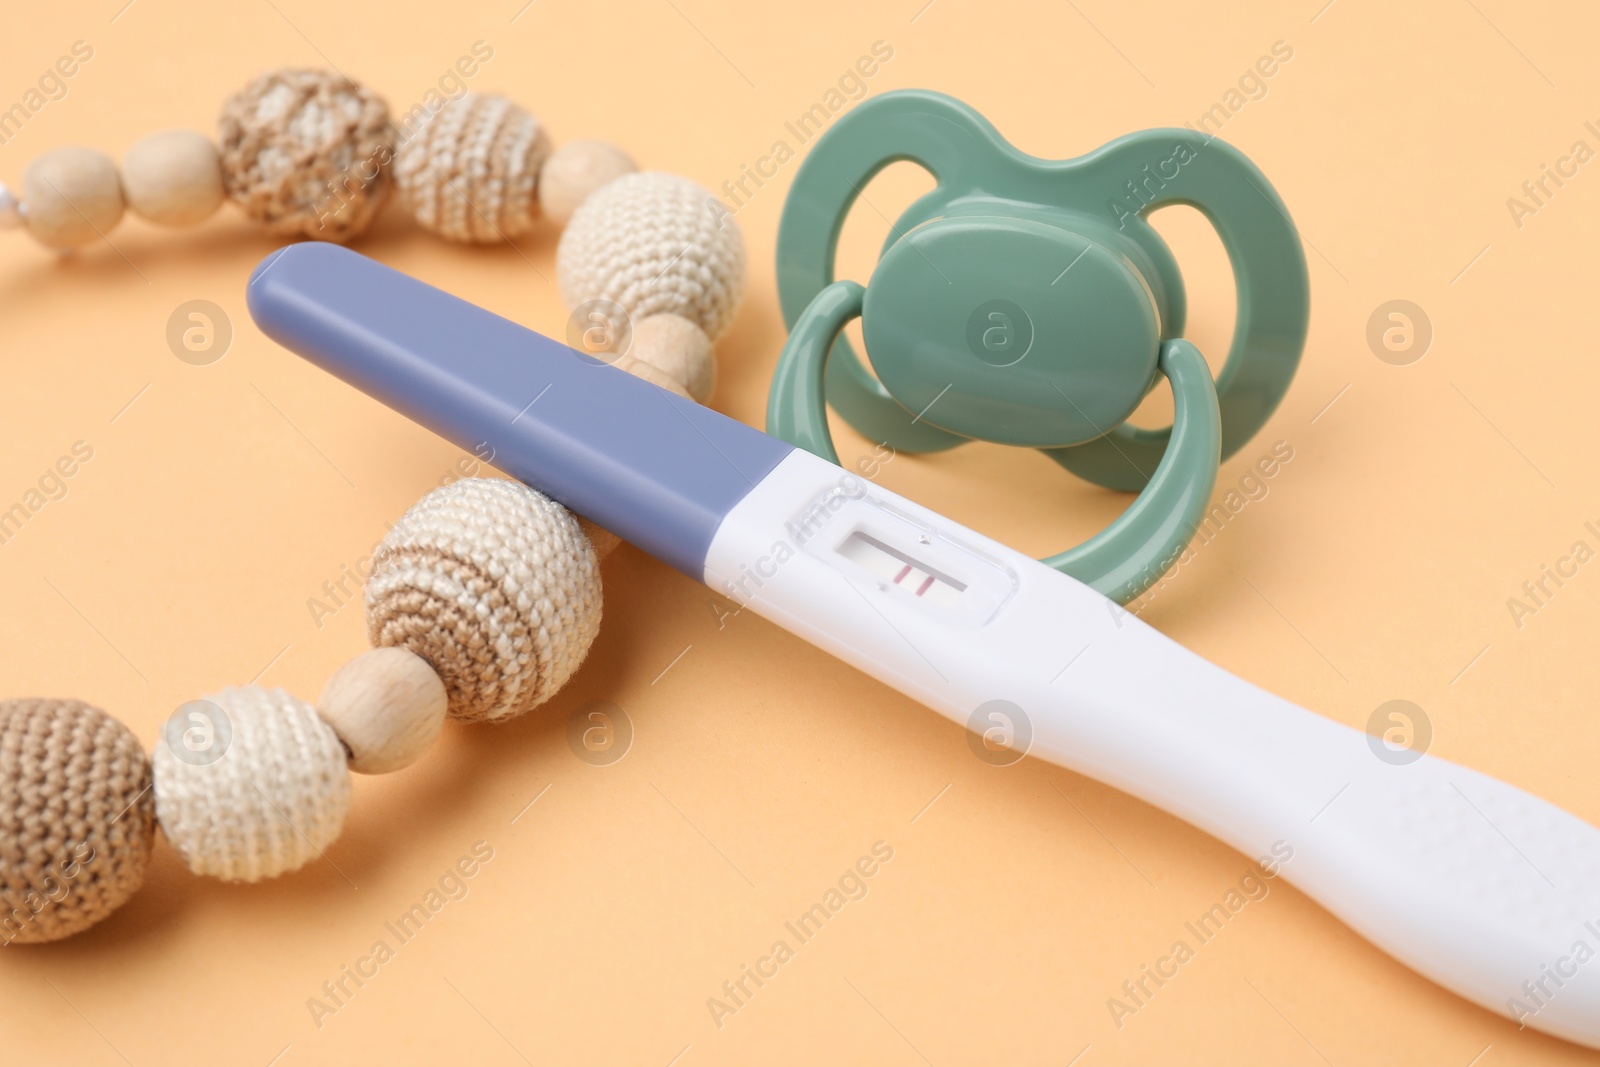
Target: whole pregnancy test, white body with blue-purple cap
(1474, 884)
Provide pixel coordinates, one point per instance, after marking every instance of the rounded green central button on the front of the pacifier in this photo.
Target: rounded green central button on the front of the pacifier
(1012, 330)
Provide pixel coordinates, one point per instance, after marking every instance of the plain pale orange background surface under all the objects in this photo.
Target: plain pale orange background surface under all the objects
(1378, 567)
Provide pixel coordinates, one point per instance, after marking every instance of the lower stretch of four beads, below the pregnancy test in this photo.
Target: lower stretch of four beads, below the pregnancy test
(484, 601)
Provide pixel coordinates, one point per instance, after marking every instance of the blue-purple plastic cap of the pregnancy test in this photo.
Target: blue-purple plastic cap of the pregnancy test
(647, 465)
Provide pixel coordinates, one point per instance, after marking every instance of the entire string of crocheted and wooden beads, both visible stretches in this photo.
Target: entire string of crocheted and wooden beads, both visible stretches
(484, 599)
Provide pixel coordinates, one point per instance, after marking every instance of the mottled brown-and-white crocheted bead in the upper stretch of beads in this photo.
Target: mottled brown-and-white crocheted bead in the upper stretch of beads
(306, 153)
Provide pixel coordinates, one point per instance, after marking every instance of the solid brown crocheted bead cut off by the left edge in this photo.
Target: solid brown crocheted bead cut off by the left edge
(78, 818)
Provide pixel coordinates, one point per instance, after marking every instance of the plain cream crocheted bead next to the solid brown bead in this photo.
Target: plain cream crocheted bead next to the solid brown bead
(268, 797)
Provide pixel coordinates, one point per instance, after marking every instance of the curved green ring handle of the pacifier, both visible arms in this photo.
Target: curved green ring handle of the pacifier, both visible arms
(1122, 561)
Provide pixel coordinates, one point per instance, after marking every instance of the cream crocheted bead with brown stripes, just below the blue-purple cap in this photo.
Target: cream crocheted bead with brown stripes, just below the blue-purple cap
(495, 586)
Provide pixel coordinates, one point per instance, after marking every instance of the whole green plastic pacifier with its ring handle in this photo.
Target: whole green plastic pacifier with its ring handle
(1028, 302)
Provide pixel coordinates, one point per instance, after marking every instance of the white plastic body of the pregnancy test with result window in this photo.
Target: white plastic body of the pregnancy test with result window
(1479, 885)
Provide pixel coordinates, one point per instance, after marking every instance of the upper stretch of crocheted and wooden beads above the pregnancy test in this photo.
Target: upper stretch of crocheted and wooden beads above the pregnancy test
(313, 154)
